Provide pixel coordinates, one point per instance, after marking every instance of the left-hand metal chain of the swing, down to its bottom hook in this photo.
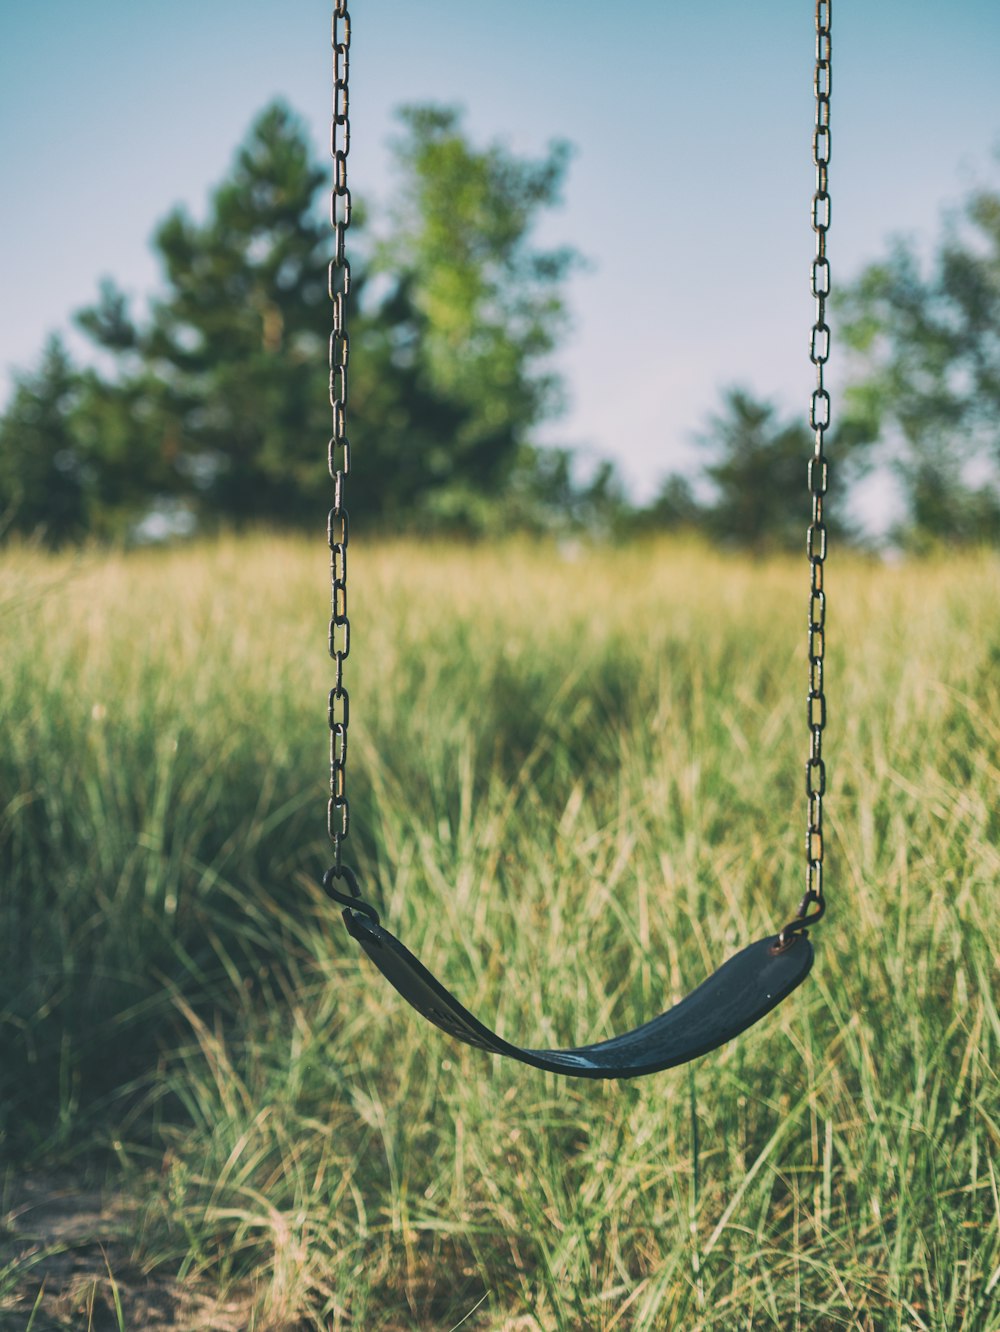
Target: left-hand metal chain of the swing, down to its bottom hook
(339, 452)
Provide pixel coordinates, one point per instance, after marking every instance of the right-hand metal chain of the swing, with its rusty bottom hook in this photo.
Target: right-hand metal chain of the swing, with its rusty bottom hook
(814, 904)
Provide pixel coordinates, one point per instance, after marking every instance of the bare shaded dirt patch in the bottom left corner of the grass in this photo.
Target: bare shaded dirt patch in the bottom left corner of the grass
(69, 1261)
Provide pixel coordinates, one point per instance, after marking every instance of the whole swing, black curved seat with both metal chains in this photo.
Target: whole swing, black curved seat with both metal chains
(754, 981)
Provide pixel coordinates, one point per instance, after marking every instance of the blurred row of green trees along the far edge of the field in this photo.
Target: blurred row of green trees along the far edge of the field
(207, 408)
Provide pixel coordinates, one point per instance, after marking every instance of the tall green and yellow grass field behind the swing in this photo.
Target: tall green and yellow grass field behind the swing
(576, 787)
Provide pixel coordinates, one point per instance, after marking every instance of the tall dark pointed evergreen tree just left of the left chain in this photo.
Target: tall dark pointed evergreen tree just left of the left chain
(226, 379)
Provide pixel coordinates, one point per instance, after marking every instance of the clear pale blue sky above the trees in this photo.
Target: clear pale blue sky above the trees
(689, 191)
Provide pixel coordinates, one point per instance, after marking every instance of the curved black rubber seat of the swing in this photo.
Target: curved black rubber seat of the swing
(744, 990)
